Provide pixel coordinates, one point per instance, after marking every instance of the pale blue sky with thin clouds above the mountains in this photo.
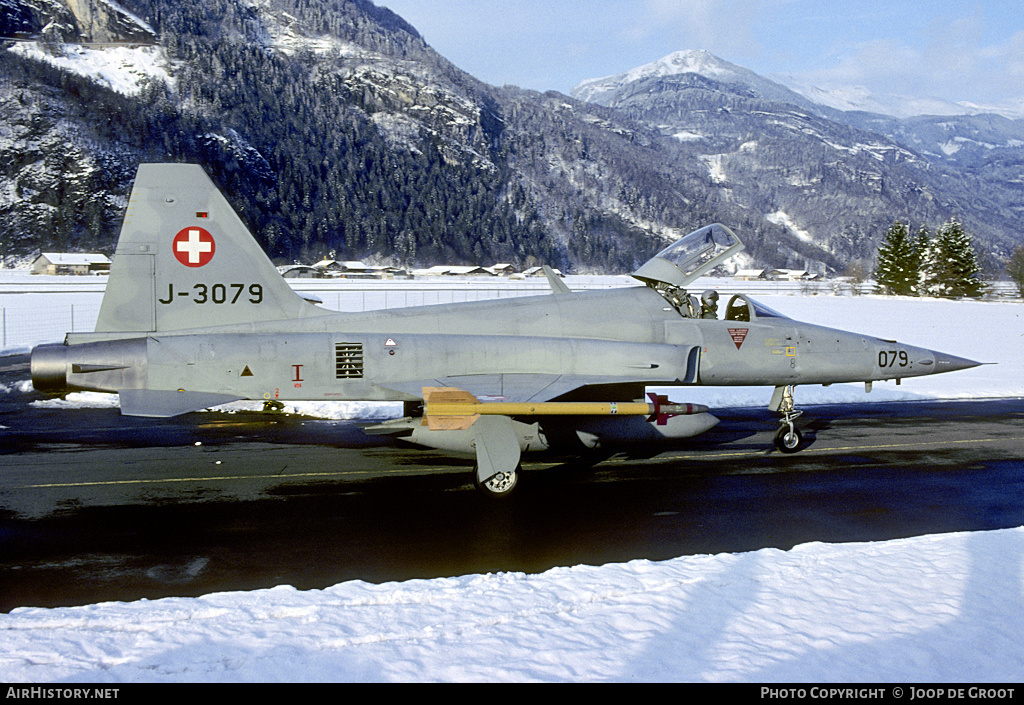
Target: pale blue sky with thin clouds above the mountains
(960, 51)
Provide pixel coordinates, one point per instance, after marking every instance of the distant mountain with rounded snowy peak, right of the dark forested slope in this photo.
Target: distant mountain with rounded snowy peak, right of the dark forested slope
(821, 173)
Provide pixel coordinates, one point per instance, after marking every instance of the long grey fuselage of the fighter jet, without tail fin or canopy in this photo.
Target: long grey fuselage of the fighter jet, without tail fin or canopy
(616, 337)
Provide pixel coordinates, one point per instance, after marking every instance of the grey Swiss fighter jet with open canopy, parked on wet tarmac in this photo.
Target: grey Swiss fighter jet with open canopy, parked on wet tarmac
(195, 315)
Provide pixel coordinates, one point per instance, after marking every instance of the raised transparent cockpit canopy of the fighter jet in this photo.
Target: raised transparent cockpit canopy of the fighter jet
(691, 257)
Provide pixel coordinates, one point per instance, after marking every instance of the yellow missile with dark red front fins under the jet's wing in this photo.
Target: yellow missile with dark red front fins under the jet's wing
(454, 409)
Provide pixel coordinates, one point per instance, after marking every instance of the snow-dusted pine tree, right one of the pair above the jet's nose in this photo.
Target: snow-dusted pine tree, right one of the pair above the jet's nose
(950, 267)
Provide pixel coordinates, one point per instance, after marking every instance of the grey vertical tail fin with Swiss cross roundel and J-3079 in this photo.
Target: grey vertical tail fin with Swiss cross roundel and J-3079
(185, 260)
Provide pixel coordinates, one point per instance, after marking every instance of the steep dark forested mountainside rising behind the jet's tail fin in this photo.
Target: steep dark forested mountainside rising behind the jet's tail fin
(332, 127)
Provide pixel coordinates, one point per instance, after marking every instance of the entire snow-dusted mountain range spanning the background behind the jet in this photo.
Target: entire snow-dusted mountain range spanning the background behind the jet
(333, 128)
